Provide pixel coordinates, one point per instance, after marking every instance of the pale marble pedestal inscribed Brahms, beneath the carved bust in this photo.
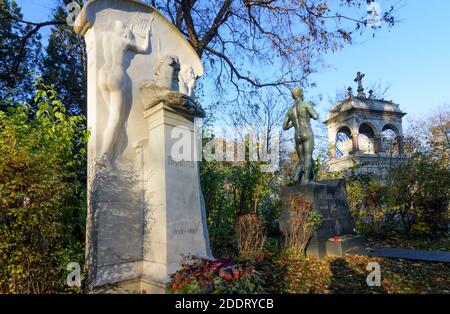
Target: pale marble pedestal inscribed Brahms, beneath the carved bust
(176, 221)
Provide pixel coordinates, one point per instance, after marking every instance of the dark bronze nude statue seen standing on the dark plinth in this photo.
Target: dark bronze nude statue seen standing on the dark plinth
(298, 117)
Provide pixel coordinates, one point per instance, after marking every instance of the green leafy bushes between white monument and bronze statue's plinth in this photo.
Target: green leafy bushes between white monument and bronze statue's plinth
(233, 190)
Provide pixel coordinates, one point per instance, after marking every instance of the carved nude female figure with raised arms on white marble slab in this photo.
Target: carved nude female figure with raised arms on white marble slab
(112, 77)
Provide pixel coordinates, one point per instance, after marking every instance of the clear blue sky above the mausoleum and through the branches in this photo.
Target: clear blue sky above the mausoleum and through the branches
(414, 56)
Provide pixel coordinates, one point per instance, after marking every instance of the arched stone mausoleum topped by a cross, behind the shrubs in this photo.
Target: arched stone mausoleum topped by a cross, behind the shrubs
(365, 133)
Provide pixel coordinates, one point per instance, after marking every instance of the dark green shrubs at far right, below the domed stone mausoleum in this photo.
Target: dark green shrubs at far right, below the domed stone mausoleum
(415, 203)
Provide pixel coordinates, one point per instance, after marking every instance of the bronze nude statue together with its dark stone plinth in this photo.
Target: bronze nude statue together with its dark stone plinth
(336, 236)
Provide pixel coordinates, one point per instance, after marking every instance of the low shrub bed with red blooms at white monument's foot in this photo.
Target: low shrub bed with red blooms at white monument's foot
(201, 276)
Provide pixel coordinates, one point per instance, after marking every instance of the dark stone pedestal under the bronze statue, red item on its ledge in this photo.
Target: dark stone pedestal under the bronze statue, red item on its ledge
(329, 198)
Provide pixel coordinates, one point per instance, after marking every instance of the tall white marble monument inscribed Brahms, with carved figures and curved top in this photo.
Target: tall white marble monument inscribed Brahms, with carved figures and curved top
(146, 207)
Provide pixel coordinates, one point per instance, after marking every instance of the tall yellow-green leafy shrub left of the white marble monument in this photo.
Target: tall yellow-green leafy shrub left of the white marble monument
(42, 200)
